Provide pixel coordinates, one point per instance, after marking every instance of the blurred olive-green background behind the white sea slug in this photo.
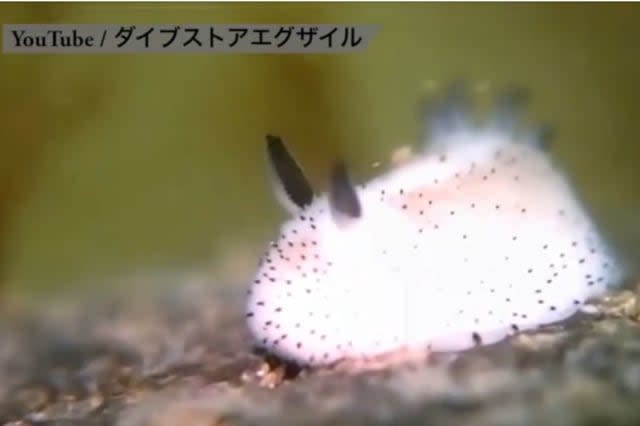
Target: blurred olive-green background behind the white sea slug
(116, 164)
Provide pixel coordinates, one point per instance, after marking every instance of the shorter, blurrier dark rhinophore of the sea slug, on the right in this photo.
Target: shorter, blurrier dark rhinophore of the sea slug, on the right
(343, 199)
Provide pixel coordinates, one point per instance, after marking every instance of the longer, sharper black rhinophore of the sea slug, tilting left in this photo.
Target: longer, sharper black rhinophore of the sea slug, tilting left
(291, 185)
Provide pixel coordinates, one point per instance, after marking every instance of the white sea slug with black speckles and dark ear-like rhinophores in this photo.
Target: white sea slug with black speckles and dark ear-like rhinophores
(475, 238)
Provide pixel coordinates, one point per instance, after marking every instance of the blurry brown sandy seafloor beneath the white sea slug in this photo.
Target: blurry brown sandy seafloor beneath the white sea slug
(176, 352)
